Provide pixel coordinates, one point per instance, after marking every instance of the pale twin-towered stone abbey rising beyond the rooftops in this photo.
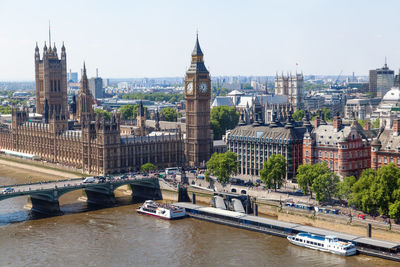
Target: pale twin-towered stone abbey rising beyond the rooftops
(291, 86)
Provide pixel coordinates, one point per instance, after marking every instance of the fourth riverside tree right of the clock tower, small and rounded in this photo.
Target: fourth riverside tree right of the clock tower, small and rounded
(325, 186)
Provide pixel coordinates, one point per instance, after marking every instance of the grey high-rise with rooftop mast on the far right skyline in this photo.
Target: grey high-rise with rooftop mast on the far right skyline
(381, 81)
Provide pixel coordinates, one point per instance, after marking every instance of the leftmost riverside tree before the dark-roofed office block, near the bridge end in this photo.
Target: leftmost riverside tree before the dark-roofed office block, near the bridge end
(223, 165)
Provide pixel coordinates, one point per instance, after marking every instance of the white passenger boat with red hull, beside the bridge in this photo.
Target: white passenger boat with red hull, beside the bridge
(161, 210)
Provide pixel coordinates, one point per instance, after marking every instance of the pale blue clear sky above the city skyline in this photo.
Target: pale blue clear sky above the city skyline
(154, 38)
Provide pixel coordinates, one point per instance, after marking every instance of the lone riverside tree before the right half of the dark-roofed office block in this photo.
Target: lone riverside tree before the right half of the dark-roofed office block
(273, 173)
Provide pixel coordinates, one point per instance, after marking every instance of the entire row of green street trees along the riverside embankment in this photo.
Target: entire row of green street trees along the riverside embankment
(375, 192)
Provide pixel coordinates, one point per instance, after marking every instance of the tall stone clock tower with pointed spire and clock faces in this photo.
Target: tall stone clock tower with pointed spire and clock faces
(197, 94)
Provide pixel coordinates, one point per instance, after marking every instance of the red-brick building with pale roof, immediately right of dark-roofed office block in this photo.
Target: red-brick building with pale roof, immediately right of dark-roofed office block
(346, 149)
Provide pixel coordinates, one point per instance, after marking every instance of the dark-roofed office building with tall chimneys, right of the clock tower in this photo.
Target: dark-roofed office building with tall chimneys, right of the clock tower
(255, 143)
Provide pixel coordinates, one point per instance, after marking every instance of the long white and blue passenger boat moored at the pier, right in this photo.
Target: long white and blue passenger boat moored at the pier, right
(327, 243)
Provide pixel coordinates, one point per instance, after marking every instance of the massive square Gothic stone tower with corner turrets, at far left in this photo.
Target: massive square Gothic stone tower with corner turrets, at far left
(51, 79)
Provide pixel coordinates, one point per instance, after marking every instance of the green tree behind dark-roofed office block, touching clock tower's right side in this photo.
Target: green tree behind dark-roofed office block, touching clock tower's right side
(223, 118)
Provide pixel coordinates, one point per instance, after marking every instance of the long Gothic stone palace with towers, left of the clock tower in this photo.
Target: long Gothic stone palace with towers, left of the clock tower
(90, 142)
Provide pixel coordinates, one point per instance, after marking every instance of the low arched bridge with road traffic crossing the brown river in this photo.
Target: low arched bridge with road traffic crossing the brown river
(44, 195)
